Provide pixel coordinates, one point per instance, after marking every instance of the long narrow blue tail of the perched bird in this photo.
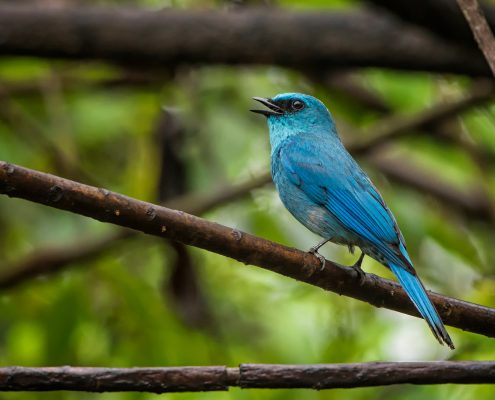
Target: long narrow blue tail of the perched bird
(417, 293)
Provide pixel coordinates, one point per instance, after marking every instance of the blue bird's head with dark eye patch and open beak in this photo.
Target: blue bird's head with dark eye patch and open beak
(291, 113)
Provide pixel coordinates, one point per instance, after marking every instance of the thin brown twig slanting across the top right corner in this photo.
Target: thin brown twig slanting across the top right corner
(481, 31)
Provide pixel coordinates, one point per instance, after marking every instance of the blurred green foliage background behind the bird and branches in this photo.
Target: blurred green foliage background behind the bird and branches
(112, 311)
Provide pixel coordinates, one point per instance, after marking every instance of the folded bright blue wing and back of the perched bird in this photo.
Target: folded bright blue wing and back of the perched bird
(331, 178)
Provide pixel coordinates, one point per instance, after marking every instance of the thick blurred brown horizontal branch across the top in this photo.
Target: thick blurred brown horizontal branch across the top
(325, 40)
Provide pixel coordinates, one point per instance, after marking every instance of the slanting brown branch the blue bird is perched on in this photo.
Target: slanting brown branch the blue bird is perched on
(105, 206)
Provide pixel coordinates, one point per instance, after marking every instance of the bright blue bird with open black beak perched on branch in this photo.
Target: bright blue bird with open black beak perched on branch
(325, 189)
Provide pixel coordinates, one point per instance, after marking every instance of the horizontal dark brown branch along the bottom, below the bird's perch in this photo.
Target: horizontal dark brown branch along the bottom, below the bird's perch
(246, 376)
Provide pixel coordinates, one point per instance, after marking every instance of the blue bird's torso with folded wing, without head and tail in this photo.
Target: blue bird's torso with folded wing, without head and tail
(324, 188)
